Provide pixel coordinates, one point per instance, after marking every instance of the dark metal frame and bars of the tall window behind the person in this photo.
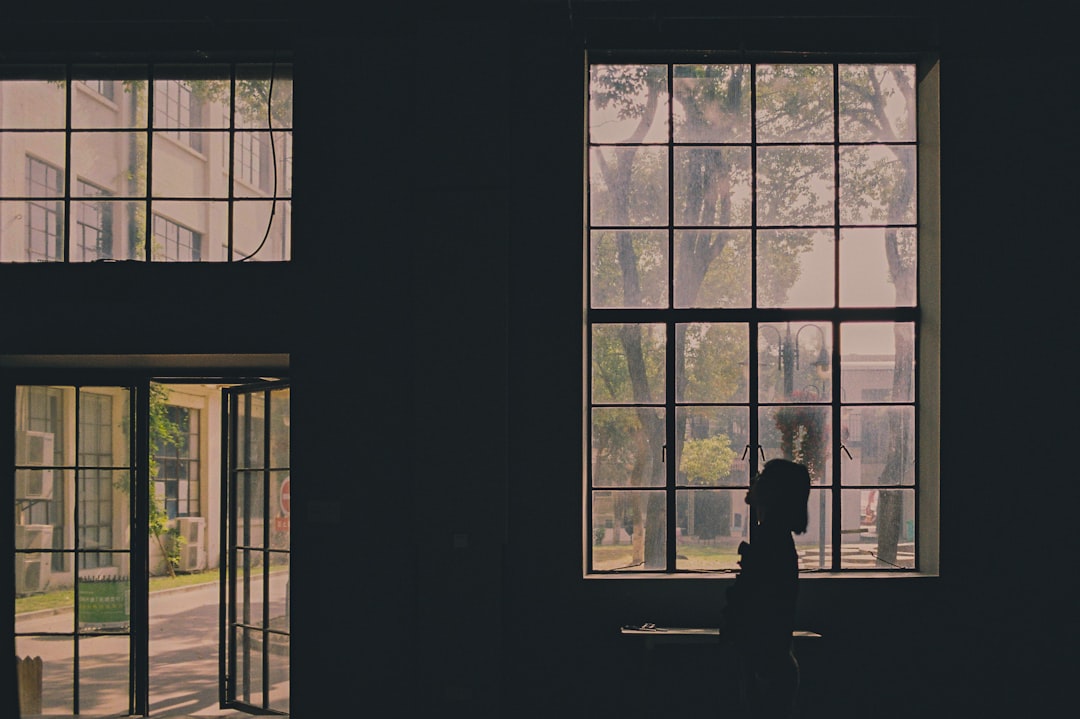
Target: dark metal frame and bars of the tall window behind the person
(925, 317)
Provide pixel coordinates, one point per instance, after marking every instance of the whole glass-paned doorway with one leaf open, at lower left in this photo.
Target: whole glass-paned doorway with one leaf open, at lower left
(153, 546)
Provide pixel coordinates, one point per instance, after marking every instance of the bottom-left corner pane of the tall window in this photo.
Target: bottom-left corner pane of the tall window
(623, 515)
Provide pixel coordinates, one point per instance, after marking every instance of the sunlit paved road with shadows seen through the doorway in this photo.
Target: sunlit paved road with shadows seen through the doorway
(184, 658)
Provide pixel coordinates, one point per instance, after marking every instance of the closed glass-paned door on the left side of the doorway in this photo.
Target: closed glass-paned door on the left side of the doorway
(78, 634)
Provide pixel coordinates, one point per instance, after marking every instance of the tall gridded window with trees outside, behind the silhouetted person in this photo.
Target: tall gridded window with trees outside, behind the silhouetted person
(752, 274)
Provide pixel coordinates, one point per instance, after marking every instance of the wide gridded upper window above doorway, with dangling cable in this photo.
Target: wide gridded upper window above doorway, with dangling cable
(207, 145)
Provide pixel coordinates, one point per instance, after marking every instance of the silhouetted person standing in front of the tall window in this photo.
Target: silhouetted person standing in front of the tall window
(760, 616)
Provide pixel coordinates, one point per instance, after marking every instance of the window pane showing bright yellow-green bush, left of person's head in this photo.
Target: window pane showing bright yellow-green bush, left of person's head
(711, 442)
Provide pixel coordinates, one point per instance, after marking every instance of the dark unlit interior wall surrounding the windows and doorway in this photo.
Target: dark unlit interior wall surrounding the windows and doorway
(434, 321)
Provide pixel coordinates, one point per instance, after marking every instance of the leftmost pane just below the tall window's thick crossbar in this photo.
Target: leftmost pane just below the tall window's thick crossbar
(629, 363)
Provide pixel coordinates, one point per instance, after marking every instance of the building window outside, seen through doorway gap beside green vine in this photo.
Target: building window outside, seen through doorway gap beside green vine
(177, 484)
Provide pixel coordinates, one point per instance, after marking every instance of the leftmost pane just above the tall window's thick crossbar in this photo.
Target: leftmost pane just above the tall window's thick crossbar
(629, 268)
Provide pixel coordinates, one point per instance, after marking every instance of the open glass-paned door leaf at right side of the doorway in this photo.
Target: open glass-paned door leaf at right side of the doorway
(255, 550)
